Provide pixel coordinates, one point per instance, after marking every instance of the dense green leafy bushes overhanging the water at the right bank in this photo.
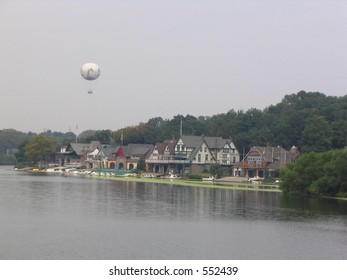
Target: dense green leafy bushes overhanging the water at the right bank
(316, 173)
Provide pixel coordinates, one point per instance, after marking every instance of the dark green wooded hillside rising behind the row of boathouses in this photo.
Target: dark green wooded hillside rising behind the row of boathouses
(310, 120)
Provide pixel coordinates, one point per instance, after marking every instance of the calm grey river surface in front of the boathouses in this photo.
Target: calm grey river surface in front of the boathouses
(56, 217)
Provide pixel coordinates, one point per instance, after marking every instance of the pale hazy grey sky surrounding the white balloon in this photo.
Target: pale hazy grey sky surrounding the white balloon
(163, 58)
